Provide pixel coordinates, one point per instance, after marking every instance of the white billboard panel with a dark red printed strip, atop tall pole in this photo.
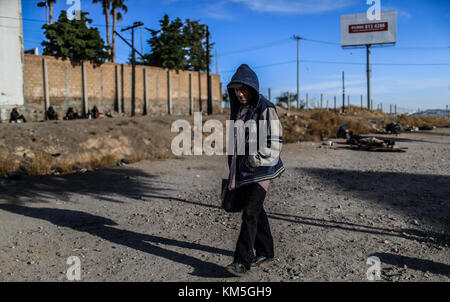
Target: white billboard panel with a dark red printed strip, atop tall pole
(358, 30)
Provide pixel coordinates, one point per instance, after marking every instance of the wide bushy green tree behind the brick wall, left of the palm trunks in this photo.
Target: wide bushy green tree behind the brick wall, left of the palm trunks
(74, 40)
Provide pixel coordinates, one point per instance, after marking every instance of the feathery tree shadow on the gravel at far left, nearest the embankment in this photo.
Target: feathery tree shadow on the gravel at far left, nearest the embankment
(110, 184)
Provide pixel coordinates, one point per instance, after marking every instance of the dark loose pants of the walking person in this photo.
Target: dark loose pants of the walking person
(255, 231)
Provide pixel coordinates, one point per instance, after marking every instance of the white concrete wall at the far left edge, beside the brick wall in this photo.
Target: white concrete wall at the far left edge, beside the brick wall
(11, 56)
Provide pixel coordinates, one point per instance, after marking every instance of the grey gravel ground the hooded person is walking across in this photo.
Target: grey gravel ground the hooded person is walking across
(331, 210)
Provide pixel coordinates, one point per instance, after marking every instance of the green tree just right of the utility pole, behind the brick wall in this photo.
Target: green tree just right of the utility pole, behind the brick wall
(168, 45)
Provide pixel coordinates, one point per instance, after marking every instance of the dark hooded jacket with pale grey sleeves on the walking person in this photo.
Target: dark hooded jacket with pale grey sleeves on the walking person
(266, 164)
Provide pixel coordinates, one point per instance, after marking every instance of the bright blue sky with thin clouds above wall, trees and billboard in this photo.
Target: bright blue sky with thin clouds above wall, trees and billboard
(258, 33)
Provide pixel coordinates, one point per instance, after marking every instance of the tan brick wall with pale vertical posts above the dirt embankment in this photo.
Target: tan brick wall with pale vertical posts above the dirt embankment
(109, 88)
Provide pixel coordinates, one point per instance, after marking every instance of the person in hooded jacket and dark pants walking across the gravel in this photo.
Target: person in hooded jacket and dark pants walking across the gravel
(251, 173)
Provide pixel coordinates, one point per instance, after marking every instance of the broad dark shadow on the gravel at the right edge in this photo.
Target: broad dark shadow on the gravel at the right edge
(417, 196)
